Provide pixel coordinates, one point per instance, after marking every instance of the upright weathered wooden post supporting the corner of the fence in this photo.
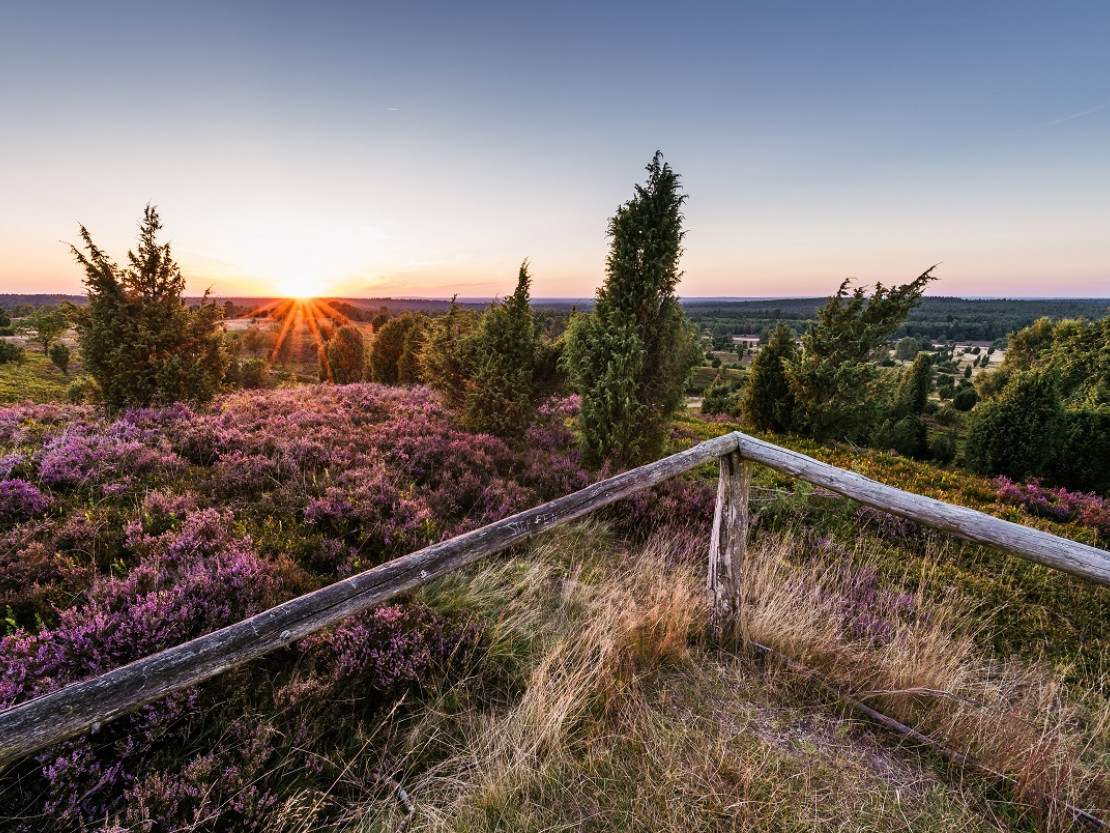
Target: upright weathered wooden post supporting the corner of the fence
(729, 541)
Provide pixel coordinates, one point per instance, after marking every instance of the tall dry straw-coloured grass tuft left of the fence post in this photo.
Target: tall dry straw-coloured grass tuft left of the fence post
(596, 645)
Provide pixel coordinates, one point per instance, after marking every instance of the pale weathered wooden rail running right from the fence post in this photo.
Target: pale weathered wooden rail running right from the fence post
(1044, 548)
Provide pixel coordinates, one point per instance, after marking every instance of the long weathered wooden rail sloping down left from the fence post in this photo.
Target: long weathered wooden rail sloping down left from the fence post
(67, 712)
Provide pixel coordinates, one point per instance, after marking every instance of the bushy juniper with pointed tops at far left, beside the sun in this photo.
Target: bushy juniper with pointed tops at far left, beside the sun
(140, 343)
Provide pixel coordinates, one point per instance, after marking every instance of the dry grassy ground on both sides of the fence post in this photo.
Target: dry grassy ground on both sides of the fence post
(617, 711)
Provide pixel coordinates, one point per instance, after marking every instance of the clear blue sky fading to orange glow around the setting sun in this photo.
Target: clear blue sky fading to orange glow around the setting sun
(426, 149)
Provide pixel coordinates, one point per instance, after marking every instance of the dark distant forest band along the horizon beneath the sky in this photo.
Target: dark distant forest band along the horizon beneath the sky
(940, 319)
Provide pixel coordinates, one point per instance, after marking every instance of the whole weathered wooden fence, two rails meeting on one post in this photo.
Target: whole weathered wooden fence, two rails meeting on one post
(75, 709)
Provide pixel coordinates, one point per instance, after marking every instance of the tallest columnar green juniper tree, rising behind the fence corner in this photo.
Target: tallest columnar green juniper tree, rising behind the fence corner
(631, 357)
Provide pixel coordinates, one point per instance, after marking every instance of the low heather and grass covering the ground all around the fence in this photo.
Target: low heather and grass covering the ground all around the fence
(572, 680)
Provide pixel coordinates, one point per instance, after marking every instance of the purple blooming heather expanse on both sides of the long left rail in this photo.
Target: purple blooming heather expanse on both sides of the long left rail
(124, 537)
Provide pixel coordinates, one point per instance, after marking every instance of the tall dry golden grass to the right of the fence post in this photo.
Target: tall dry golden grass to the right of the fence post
(919, 663)
